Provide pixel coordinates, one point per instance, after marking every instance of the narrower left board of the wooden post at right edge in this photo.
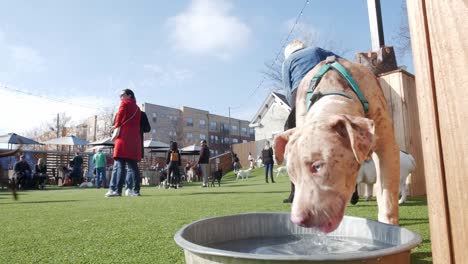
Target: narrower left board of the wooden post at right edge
(425, 91)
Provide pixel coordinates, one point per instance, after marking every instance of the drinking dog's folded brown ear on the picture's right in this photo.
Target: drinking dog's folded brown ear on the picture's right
(358, 131)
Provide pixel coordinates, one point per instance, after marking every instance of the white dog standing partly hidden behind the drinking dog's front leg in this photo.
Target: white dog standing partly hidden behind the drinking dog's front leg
(368, 176)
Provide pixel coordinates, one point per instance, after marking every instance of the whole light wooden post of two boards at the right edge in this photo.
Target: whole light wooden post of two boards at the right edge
(439, 34)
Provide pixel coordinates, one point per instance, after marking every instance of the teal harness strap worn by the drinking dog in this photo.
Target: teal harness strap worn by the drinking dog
(331, 63)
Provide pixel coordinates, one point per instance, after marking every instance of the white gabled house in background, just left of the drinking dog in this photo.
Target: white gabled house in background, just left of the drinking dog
(271, 117)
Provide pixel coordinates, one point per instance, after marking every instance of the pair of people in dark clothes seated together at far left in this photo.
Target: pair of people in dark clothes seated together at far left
(26, 178)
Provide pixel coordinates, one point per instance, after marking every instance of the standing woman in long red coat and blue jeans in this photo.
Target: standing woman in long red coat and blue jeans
(127, 149)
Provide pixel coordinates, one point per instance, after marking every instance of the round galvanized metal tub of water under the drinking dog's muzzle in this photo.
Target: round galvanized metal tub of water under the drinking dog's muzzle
(273, 238)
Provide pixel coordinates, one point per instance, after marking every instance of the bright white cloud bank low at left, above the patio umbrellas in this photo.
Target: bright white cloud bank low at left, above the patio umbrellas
(22, 112)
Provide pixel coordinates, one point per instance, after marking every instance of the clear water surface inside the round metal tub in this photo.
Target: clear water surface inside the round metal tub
(310, 244)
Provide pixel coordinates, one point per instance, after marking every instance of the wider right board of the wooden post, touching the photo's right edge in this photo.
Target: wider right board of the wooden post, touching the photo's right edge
(448, 34)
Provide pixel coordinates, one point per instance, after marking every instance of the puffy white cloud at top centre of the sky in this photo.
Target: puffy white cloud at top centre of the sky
(207, 27)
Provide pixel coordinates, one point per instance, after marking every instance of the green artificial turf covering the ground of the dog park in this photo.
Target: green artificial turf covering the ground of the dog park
(72, 225)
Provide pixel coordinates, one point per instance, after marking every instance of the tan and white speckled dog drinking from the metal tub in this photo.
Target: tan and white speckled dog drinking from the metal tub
(330, 143)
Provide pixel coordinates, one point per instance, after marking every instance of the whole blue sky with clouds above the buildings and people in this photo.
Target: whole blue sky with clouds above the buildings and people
(75, 56)
